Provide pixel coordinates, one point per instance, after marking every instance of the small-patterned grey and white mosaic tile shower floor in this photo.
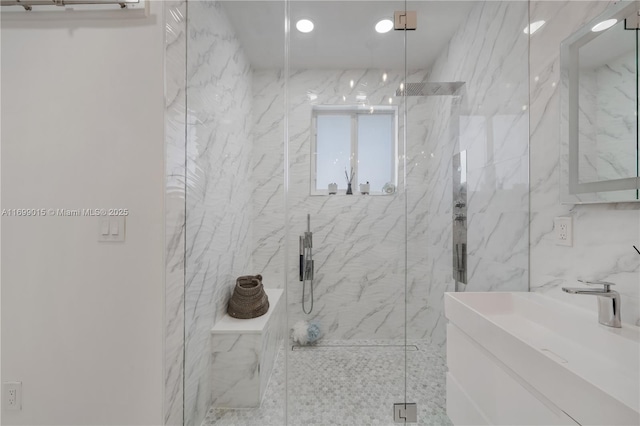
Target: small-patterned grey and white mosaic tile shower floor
(348, 383)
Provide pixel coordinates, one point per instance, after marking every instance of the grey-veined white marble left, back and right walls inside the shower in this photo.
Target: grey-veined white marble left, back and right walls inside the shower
(360, 240)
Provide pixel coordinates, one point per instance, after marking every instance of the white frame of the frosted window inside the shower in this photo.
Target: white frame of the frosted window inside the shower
(353, 111)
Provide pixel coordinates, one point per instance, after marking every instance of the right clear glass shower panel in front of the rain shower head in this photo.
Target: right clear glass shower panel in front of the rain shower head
(467, 173)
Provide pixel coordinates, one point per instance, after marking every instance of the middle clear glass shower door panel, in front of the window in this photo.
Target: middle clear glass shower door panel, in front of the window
(346, 219)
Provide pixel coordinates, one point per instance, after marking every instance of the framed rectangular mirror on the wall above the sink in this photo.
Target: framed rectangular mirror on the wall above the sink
(600, 159)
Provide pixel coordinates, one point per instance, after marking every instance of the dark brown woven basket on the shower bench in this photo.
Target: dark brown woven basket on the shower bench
(249, 299)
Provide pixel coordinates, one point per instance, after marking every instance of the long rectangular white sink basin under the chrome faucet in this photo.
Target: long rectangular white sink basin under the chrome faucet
(592, 372)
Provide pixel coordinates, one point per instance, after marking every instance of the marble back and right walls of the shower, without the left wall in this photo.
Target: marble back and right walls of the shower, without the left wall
(359, 246)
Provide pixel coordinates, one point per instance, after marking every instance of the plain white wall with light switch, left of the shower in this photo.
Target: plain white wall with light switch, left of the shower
(82, 126)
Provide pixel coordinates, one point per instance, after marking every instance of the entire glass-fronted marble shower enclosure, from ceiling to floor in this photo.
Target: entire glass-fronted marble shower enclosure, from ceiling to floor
(262, 120)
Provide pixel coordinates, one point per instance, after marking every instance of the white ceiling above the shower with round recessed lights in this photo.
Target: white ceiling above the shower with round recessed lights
(344, 35)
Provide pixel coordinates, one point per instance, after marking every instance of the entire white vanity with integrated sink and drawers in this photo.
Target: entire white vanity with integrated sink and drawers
(528, 359)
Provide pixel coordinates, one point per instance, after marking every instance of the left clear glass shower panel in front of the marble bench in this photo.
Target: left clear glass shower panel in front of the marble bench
(234, 211)
